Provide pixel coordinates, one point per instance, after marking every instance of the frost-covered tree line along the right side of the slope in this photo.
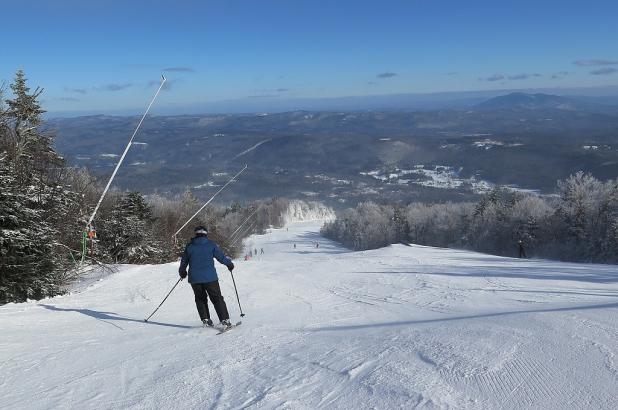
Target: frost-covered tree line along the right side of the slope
(578, 223)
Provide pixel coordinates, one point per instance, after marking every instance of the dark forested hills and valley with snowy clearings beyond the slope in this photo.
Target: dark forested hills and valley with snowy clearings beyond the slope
(347, 157)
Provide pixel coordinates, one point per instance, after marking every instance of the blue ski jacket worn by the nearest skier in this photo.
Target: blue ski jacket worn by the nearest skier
(198, 255)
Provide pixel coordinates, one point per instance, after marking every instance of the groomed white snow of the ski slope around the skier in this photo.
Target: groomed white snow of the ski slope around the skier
(400, 327)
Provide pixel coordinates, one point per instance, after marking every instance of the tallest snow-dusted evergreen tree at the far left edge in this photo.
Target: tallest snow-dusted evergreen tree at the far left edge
(33, 202)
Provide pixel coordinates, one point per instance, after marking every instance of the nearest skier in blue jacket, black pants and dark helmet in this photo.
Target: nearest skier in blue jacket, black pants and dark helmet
(198, 256)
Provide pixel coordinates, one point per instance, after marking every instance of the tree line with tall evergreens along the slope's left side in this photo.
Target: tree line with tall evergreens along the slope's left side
(45, 205)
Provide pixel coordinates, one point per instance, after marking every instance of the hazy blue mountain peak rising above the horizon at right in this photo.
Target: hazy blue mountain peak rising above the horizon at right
(518, 101)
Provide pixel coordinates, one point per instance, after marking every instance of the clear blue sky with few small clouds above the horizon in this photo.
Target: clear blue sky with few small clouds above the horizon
(103, 55)
